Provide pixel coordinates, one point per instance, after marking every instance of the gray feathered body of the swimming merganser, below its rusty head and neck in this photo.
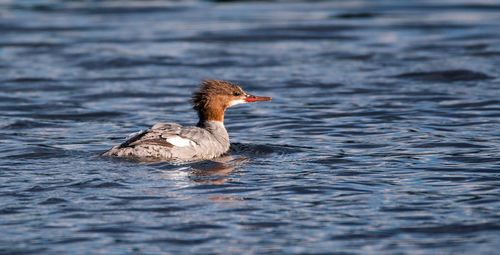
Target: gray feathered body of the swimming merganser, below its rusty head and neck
(175, 142)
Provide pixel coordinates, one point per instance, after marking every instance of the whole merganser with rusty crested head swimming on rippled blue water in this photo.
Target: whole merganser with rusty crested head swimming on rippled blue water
(207, 140)
